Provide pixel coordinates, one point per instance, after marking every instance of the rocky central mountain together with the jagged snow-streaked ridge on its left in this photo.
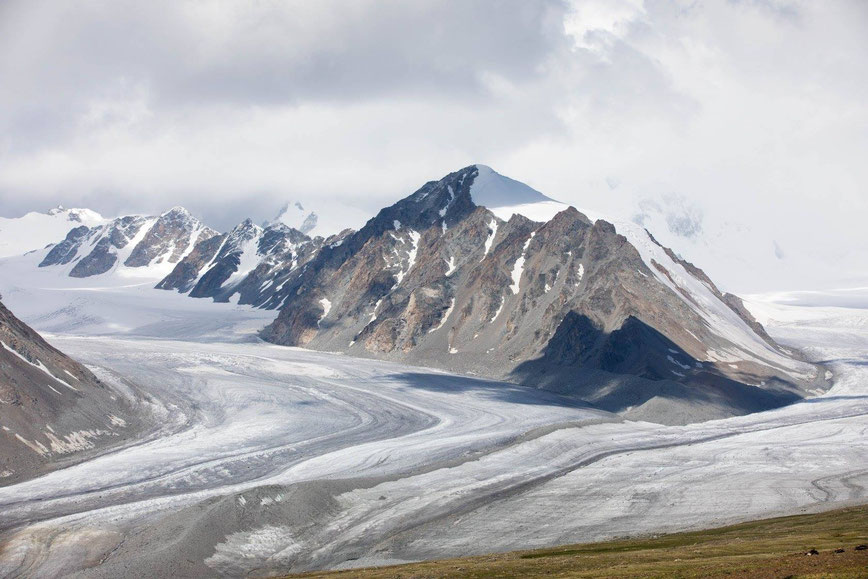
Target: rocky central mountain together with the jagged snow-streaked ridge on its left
(480, 274)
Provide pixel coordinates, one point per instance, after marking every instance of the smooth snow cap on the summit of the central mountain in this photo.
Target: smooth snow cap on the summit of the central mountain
(505, 197)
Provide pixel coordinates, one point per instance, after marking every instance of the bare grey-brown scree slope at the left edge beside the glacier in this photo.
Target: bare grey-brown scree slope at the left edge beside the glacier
(52, 409)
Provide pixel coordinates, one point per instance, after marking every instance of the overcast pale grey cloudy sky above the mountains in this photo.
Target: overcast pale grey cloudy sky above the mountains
(745, 112)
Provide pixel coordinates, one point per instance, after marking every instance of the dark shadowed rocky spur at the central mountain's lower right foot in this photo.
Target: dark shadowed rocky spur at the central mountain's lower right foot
(638, 371)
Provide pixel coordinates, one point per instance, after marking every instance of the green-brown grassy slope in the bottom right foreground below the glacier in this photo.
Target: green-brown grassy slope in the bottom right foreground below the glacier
(768, 548)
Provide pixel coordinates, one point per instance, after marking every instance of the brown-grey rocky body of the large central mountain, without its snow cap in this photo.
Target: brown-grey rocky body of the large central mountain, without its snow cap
(568, 304)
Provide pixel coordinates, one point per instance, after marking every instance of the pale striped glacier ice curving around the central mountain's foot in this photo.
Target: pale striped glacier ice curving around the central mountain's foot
(272, 459)
